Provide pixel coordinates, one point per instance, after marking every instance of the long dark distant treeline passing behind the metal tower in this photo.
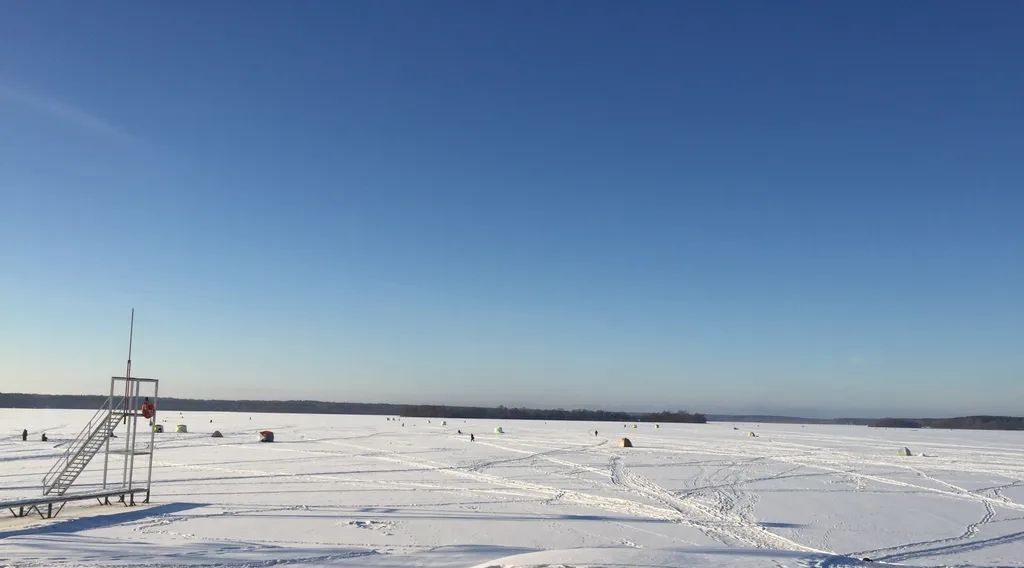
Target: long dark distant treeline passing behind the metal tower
(19, 401)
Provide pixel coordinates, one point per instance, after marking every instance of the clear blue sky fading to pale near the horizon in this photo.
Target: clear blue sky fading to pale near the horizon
(806, 208)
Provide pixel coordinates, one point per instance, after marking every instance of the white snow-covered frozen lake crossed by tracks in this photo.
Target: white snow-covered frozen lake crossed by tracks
(347, 491)
